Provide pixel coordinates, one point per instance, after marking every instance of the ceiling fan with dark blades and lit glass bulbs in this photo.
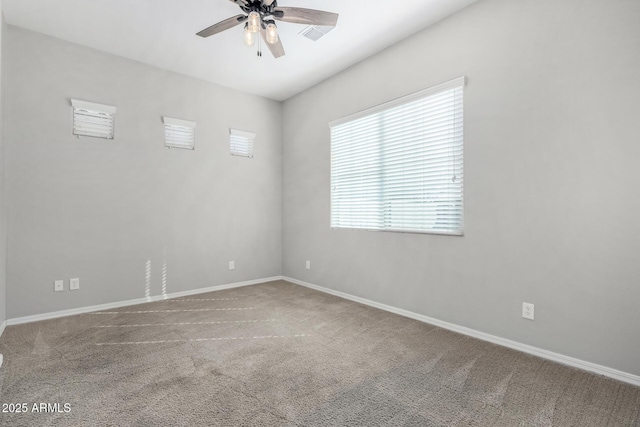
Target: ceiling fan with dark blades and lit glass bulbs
(260, 16)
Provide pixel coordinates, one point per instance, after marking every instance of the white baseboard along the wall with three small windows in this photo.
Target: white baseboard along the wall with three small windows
(119, 304)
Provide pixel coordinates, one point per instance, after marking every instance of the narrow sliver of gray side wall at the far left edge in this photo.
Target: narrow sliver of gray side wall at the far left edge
(3, 232)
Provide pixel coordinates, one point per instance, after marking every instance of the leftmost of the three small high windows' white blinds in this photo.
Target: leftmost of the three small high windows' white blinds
(91, 119)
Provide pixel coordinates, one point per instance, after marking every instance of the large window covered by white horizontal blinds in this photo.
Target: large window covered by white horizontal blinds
(398, 166)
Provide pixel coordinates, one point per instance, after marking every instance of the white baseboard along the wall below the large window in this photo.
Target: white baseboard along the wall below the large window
(545, 354)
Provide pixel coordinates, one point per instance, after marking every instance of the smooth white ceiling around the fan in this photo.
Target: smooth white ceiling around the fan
(162, 33)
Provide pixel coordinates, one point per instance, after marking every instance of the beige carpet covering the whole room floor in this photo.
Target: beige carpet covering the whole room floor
(279, 354)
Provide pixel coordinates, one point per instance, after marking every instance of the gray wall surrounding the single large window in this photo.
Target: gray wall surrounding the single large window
(551, 178)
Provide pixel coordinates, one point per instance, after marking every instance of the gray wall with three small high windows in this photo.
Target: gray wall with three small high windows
(106, 211)
